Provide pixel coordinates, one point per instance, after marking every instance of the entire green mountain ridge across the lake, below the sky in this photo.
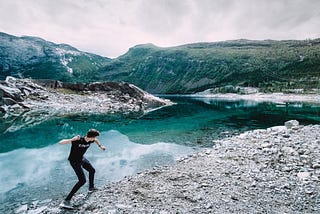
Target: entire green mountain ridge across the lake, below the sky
(269, 65)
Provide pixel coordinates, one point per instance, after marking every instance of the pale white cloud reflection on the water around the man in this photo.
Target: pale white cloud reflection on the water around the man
(39, 174)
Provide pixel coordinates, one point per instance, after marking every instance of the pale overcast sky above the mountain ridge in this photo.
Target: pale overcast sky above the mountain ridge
(111, 27)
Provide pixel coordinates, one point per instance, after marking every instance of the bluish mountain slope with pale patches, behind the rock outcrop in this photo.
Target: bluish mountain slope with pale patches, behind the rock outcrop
(34, 57)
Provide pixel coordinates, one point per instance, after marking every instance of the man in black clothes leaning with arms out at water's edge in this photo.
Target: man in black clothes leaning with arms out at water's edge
(79, 146)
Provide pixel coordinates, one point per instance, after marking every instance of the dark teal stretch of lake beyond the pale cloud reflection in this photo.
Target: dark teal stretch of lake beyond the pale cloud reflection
(192, 122)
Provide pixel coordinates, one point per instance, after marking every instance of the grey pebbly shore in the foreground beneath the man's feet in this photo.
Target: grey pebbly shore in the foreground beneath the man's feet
(275, 170)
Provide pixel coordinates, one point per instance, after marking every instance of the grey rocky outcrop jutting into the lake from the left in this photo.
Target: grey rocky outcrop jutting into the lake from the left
(24, 98)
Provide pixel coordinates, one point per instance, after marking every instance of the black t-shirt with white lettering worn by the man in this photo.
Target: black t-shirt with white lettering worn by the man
(78, 148)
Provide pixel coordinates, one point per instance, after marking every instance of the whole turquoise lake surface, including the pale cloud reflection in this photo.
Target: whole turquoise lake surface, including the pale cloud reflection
(34, 167)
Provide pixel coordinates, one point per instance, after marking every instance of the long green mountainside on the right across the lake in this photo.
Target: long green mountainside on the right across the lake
(269, 65)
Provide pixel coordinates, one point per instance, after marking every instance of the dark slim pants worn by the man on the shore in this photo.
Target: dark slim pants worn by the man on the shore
(77, 167)
